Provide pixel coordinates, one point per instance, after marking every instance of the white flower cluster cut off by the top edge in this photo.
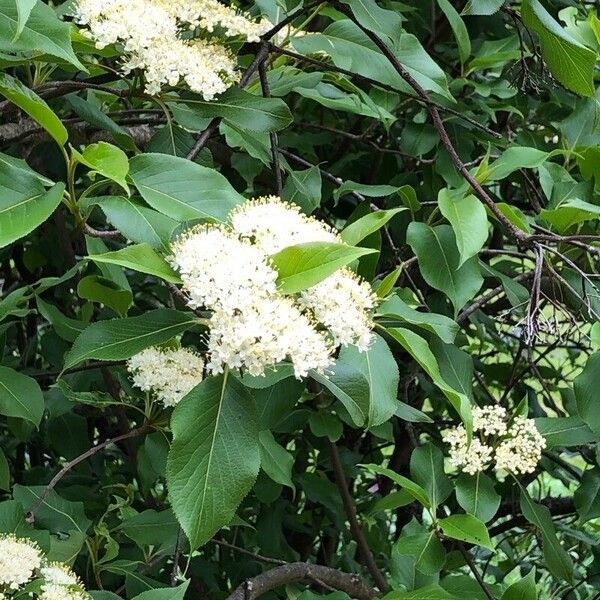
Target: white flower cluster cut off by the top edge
(150, 32)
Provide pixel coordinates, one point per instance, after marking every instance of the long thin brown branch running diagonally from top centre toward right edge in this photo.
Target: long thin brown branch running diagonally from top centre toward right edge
(517, 233)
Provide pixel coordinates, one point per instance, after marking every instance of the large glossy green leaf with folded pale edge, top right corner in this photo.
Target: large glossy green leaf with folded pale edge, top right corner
(568, 60)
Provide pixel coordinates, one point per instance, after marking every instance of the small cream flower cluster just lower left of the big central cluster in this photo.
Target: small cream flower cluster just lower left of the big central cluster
(169, 373)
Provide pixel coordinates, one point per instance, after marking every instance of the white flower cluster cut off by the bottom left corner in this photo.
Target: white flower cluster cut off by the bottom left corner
(21, 561)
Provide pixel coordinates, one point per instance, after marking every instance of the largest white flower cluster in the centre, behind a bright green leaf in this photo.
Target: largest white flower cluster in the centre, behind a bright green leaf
(252, 327)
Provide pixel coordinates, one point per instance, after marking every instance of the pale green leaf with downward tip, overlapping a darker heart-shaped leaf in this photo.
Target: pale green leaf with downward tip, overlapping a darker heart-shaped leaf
(468, 218)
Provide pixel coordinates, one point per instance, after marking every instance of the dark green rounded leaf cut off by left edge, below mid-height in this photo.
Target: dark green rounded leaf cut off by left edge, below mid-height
(20, 396)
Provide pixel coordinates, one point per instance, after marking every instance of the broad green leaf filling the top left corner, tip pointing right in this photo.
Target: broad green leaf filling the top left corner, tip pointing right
(43, 32)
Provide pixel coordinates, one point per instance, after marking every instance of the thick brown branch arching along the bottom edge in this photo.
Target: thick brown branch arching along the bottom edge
(293, 572)
